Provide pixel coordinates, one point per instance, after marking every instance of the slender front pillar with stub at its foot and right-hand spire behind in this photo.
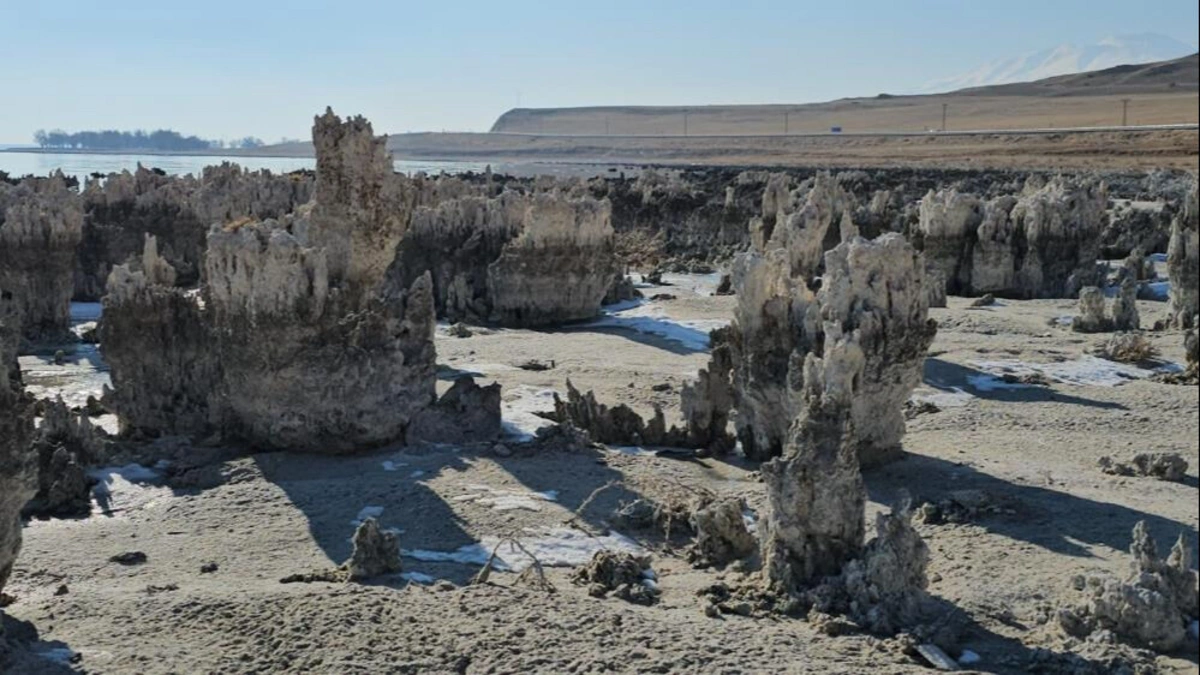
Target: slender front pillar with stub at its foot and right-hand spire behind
(849, 375)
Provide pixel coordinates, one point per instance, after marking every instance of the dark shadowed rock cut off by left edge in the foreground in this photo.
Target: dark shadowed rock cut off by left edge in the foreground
(19, 463)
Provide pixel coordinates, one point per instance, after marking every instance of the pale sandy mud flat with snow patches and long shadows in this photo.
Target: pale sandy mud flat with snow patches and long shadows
(1021, 457)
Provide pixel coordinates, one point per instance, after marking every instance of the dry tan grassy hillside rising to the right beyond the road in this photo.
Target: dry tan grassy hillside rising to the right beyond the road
(1163, 93)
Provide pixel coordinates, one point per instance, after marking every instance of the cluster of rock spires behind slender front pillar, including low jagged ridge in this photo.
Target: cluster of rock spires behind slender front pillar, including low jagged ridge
(779, 320)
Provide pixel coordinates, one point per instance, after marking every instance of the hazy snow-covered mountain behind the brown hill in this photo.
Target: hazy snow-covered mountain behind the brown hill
(1067, 59)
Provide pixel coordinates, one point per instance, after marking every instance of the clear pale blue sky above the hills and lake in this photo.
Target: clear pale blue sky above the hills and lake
(225, 69)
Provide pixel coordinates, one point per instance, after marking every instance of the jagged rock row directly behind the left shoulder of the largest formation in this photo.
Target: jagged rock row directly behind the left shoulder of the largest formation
(123, 208)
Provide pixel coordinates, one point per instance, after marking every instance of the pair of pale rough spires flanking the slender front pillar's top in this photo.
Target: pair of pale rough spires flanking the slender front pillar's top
(873, 289)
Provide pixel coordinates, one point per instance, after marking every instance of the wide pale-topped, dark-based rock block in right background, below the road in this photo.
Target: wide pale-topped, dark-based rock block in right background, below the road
(1043, 243)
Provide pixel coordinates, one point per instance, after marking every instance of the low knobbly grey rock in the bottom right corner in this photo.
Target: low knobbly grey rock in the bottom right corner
(1151, 608)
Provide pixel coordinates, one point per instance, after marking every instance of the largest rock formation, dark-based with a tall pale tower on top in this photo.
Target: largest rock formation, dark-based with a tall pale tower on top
(298, 339)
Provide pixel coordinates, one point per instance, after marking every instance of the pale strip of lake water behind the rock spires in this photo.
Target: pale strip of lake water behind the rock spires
(83, 165)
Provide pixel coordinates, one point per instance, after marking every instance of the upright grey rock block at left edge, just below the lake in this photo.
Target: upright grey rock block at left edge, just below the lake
(41, 225)
